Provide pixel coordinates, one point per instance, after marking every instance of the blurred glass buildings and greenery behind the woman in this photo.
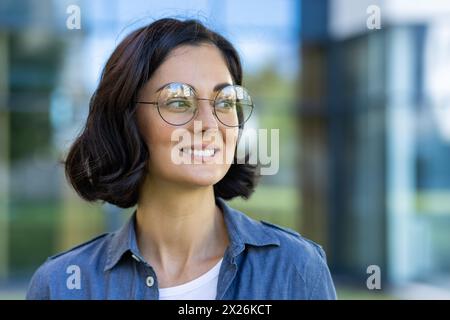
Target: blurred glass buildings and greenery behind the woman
(363, 112)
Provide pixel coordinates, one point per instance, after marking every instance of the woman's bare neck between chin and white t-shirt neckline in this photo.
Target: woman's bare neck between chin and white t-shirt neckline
(178, 226)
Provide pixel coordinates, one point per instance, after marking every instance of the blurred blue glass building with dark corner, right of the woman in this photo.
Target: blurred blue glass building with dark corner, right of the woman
(375, 121)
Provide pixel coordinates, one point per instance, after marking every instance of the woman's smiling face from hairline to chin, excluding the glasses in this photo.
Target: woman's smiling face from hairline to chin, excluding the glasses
(203, 68)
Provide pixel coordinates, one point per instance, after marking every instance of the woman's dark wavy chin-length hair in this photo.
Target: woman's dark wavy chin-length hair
(107, 161)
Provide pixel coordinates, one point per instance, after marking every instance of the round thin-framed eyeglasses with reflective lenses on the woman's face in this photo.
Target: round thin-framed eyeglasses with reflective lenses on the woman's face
(178, 104)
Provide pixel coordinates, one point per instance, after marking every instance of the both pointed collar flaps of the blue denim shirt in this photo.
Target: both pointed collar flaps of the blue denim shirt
(241, 229)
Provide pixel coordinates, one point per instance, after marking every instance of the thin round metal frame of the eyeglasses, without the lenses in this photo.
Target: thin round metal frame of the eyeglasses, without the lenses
(195, 113)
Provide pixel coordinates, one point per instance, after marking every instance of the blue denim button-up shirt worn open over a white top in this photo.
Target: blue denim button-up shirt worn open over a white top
(262, 261)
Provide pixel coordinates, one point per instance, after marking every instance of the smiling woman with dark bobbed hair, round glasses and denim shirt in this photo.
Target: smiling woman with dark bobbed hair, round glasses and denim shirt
(183, 241)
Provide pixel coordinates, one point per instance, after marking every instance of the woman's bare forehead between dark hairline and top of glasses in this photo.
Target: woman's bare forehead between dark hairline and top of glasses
(202, 66)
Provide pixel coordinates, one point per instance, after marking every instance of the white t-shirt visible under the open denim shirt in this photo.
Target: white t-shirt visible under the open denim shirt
(202, 288)
